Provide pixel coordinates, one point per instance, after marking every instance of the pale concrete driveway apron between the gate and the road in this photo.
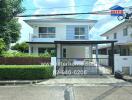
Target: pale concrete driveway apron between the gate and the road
(85, 80)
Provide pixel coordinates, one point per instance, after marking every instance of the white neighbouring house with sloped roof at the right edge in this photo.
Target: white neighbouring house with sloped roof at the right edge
(123, 48)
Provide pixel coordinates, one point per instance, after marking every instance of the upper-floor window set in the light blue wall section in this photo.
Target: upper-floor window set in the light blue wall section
(79, 32)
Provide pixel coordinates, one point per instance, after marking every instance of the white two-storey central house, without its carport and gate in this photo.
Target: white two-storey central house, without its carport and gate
(46, 32)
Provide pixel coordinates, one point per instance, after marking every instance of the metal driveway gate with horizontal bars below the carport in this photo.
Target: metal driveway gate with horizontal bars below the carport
(82, 66)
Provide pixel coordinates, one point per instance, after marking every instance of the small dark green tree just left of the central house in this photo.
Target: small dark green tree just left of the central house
(22, 47)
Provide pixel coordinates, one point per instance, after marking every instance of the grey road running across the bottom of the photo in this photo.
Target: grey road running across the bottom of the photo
(66, 92)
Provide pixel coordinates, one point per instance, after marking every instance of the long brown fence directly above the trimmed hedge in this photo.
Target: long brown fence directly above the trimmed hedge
(24, 60)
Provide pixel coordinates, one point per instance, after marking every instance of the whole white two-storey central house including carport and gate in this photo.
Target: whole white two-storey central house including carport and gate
(69, 38)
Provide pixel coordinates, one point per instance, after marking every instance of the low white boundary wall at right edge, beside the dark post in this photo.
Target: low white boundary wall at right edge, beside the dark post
(123, 61)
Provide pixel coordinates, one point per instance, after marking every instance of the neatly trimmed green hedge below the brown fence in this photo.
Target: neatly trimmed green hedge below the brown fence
(25, 72)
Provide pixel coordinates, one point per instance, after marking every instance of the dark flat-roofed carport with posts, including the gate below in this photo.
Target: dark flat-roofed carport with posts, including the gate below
(64, 63)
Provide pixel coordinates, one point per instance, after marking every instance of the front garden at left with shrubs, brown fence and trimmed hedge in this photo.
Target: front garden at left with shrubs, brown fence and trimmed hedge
(19, 65)
